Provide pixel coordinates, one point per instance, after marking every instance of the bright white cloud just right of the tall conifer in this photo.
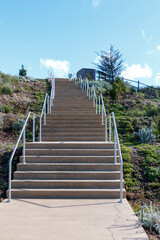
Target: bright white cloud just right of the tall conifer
(137, 71)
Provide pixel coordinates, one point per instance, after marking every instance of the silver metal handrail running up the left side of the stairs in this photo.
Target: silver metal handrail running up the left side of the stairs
(48, 103)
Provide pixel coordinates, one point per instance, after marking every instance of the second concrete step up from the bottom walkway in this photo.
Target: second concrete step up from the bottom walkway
(77, 184)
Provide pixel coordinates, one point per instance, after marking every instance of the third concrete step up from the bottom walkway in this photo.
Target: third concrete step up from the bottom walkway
(67, 175)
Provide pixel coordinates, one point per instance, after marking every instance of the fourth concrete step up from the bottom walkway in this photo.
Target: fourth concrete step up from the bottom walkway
(68, 167)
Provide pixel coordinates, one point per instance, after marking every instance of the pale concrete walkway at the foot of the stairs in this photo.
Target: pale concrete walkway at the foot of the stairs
(69, 219)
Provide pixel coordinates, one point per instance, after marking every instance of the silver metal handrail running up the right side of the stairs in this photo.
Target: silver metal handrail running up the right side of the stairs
(108, 120)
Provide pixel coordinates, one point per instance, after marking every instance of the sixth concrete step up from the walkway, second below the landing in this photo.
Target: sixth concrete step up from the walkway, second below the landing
(71, 152)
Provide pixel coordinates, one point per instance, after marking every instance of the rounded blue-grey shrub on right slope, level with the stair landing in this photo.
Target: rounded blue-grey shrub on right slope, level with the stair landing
(146, 135)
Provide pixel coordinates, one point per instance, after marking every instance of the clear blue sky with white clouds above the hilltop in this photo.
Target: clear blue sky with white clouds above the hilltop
(63, 36)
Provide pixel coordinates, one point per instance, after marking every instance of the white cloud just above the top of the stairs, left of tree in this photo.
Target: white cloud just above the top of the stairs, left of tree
(60, 68)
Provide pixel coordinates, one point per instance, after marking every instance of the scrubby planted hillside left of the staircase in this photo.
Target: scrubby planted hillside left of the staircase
(17, 97)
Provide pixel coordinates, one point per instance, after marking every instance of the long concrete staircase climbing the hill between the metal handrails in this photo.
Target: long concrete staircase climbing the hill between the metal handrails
(72, 161)
